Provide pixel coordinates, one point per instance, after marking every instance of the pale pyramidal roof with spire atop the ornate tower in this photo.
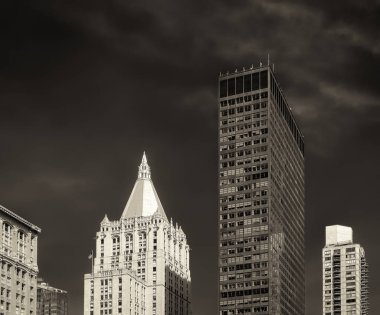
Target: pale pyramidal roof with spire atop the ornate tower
(143, 200)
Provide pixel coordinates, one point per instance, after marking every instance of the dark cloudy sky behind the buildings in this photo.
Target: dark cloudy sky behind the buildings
(87, 86)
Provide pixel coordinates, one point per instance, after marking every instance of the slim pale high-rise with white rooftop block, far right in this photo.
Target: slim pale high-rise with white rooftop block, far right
(345, 274)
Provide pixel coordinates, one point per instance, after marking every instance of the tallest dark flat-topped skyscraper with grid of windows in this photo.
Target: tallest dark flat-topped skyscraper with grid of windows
(261, 197)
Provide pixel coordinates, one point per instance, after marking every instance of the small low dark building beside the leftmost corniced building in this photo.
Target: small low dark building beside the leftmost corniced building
(50, 300)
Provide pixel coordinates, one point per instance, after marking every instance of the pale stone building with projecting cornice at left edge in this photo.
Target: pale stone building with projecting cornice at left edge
(18, 259)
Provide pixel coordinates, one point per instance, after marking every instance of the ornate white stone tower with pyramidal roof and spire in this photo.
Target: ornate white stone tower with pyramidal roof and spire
(141, 263)
